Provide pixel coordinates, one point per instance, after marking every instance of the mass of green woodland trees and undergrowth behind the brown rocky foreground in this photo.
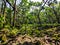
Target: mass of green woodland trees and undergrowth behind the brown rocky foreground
(30, 20)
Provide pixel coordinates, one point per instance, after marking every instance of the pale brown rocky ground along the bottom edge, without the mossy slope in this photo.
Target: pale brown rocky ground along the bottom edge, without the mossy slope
(27, 40)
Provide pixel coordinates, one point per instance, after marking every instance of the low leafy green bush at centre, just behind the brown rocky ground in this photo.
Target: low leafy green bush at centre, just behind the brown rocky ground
(25, 29)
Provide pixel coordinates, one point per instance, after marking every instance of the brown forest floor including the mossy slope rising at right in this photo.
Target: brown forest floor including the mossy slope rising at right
(50, 37)
